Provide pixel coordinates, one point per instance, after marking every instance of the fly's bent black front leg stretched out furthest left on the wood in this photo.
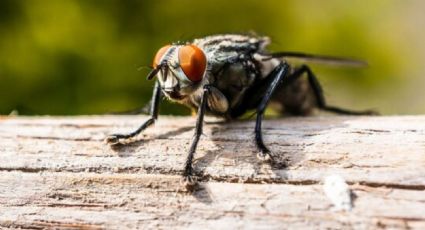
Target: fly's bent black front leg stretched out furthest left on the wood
(156, 96)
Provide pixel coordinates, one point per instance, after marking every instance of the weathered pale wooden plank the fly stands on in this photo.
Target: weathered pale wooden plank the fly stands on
(58, 172)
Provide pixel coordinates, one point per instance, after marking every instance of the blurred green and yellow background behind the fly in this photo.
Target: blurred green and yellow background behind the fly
(70, 57)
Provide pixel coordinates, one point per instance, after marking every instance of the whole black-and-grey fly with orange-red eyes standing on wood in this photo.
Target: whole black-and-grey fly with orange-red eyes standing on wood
(227, 75)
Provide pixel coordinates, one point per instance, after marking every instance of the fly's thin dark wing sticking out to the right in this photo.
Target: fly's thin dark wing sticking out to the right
(322, 59)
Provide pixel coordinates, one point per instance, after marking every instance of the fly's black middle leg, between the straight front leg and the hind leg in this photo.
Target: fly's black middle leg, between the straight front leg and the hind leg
(278, 75)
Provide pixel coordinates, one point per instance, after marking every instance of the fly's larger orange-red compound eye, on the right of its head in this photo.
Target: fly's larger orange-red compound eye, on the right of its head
(193, 62)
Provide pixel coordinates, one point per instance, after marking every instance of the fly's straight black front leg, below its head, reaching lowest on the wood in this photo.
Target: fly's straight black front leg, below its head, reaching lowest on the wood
(188, 169)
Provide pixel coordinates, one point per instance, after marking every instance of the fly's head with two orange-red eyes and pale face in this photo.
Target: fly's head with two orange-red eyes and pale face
(180, 70)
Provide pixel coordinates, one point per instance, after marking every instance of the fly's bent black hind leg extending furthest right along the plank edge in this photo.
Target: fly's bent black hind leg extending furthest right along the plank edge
(318, 93)
